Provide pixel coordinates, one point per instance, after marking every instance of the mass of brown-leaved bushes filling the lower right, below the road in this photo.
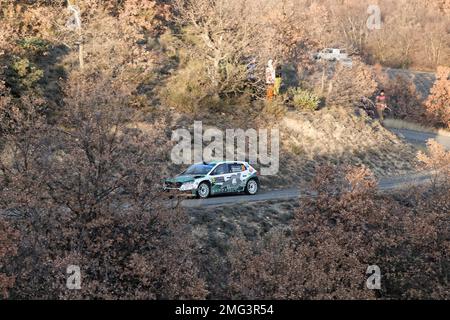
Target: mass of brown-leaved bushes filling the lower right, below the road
(335, 236)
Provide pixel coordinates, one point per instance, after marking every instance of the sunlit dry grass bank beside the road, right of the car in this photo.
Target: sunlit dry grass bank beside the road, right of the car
(337, 136)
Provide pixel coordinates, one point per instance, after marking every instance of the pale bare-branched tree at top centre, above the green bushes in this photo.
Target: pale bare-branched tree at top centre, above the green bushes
(223, 41)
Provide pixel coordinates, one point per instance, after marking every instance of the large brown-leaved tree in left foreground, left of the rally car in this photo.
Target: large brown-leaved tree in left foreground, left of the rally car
(86, 191)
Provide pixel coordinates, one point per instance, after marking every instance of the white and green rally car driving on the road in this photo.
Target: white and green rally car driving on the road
(206, 179)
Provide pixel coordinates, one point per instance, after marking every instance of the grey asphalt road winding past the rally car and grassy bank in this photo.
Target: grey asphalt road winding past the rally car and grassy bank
(385, 184)
